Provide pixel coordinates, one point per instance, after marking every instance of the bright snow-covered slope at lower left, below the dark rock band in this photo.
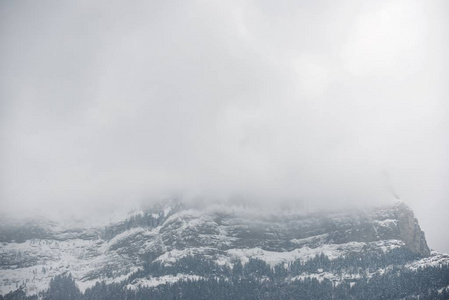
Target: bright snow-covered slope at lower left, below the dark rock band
(81, 258)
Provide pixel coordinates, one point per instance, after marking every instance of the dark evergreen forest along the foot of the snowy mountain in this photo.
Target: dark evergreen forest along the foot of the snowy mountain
(257, 280)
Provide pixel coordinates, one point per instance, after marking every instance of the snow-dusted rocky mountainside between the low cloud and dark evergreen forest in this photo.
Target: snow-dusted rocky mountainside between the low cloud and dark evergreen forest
(31, 255)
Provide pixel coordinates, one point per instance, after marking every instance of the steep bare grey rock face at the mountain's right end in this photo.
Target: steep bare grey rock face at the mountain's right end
(409, 230)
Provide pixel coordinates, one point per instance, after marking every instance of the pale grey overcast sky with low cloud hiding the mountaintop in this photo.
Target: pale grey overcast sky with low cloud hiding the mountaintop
(106, 103)
